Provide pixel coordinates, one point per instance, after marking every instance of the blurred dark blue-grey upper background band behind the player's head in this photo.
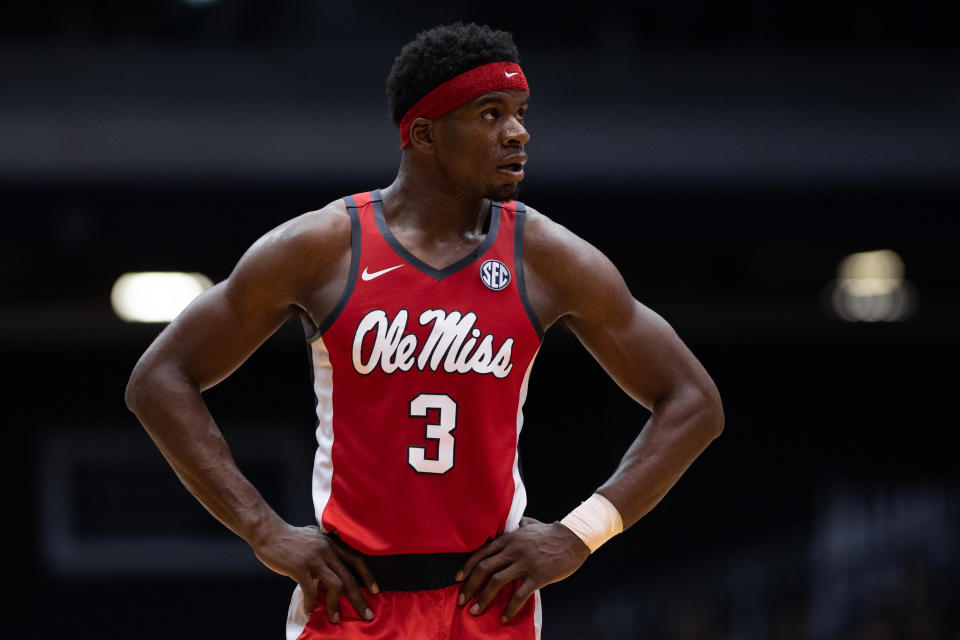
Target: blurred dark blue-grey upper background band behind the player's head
(663, 93)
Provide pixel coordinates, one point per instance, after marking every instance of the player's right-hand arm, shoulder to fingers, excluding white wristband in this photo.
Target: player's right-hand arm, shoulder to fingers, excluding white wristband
(571, 282)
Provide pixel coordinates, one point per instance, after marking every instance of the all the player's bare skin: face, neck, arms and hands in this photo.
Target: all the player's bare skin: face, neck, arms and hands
(437, 208)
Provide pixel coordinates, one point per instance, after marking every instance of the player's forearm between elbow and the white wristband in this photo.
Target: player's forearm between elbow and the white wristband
(679, 430)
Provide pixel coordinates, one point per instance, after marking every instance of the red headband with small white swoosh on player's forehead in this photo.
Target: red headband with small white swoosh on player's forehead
(460, 89)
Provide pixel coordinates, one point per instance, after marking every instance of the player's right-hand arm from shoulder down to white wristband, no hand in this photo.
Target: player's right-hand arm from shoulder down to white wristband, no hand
(640, 352)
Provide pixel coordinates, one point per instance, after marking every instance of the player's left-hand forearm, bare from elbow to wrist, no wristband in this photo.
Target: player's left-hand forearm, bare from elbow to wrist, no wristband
(173, 412)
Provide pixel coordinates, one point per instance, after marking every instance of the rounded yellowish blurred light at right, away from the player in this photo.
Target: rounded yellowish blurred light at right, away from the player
(870, 287)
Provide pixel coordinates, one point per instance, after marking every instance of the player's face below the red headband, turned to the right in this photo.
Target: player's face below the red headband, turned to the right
(480, 145)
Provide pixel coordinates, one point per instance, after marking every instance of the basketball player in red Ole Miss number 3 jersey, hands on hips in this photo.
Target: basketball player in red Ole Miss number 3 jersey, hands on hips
(425, 303)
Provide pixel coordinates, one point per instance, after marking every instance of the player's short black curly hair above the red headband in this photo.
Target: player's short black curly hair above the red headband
(441, 53)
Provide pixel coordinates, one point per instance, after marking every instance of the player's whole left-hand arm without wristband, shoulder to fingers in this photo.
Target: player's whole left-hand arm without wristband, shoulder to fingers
(298, 265)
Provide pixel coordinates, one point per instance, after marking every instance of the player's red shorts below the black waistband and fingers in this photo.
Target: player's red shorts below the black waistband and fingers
(416, 615)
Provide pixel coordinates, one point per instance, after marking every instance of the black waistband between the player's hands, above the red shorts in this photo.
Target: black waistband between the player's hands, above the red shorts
(413, 571)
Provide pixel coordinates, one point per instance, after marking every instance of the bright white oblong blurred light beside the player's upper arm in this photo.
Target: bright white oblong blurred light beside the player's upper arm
(155, 296)
